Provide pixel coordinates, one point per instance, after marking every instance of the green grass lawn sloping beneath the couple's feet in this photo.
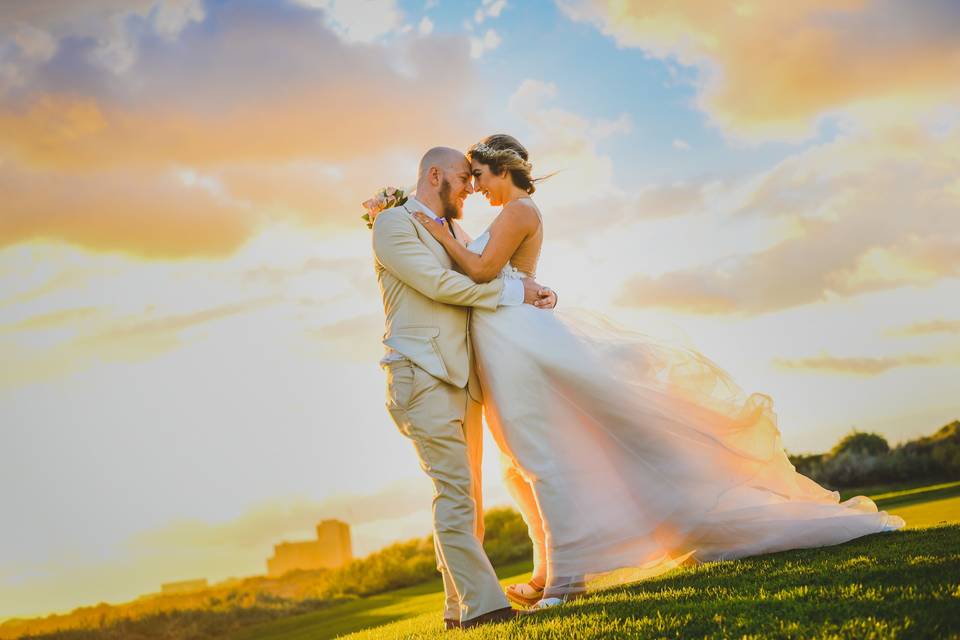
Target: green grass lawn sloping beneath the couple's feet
(895, 585)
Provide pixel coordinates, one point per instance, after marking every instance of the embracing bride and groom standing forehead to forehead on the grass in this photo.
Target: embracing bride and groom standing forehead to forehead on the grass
(621, 451)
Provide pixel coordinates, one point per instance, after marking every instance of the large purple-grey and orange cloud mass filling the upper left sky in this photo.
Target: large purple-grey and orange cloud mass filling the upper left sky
(202, 140)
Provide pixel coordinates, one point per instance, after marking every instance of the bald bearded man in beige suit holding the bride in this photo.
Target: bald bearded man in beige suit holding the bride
(433, 394)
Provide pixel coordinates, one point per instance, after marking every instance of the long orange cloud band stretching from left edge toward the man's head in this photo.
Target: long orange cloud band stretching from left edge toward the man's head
(354, 119)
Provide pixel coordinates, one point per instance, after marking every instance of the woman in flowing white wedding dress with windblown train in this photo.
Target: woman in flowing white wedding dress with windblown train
(623, 451)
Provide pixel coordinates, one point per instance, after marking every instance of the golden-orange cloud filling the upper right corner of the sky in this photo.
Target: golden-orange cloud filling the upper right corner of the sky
(819, 57)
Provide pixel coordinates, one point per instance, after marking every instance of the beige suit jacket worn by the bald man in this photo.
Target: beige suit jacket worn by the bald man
(425, 301)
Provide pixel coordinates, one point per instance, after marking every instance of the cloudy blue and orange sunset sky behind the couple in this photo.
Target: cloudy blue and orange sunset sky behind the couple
(189, 319)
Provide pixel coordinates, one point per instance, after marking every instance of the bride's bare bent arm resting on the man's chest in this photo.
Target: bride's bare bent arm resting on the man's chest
(515, 222)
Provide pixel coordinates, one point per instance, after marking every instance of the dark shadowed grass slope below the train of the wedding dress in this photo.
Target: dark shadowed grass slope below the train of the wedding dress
(893, 584)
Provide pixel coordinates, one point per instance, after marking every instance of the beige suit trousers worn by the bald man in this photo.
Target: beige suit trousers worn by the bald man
(445, 428)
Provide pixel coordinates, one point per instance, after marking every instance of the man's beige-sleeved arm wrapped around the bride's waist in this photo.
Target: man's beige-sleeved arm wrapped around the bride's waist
(400, 251)
